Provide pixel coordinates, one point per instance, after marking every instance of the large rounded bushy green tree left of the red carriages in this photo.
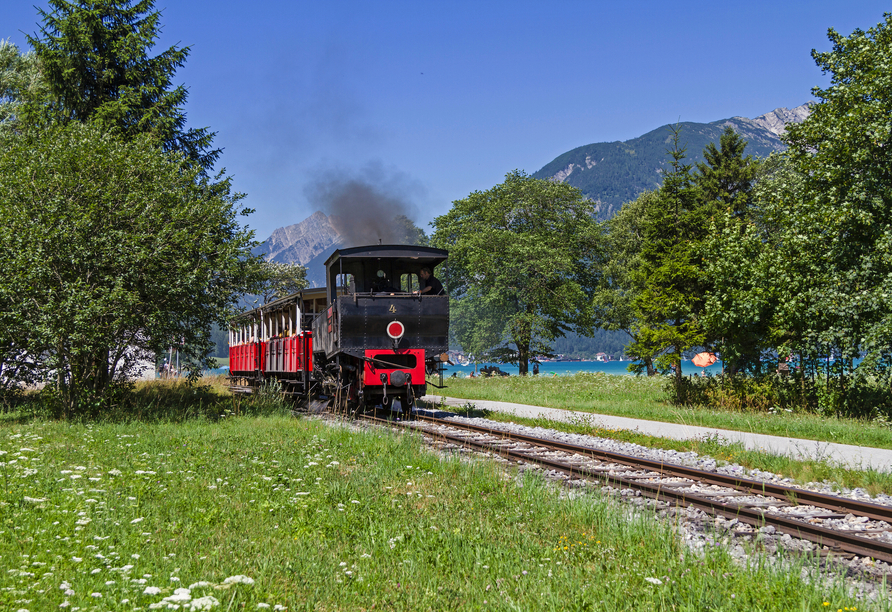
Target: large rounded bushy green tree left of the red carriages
(112, 251)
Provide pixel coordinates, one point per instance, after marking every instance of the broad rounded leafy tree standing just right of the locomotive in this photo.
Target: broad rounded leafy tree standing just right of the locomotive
(524, 262)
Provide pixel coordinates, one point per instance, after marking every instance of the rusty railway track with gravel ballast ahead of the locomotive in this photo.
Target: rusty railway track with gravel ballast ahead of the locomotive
(844, 526)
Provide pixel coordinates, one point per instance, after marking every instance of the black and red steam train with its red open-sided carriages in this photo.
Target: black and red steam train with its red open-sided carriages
(364, 340)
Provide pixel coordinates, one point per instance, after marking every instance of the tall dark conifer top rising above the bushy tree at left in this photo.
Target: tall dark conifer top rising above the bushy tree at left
(94, 57)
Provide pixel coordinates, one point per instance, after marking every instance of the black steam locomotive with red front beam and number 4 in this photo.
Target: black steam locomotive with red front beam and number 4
(378, 338)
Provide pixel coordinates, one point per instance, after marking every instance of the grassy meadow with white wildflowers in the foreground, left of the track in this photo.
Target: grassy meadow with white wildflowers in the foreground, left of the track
(236, 511)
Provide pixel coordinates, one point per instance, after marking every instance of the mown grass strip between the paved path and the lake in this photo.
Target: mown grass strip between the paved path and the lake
(645, 398)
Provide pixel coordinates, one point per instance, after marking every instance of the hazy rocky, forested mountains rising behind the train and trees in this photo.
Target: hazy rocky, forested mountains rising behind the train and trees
(610, 173)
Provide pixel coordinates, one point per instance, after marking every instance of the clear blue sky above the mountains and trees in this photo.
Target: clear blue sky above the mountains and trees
(439, 99)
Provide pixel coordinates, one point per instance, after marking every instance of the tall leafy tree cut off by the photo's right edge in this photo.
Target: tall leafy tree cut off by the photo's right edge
(843, 155)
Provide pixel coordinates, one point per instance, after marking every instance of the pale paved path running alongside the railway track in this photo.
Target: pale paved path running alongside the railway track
(858, 457)
